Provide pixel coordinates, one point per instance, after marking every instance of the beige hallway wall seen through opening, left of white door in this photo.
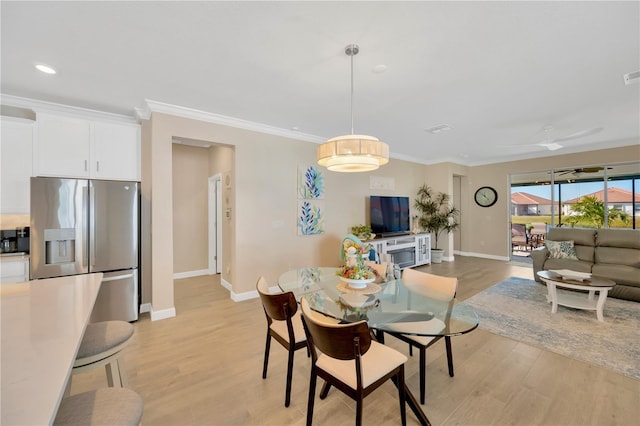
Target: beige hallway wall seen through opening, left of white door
(190, 208)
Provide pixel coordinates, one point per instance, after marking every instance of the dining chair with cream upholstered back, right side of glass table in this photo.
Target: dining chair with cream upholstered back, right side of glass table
(434, 286)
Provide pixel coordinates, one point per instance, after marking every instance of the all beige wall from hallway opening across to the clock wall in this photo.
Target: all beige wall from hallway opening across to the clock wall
(260, 238)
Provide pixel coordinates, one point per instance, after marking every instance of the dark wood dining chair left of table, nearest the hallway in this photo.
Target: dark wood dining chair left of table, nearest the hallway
(284, 325)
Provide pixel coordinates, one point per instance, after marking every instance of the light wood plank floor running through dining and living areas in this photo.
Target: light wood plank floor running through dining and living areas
(204, 367)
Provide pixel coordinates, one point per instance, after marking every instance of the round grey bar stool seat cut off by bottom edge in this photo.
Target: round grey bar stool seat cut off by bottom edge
(105, 406)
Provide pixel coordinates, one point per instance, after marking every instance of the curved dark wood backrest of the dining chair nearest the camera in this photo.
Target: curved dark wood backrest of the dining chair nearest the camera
(339, 341)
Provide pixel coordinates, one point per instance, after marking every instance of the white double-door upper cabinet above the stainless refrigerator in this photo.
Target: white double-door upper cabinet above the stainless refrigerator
(81, 148)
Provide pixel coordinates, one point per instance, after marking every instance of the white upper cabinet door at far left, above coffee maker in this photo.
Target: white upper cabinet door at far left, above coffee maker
(16, 148)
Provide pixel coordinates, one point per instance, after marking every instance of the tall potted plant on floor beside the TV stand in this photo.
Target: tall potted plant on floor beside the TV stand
(436, 215)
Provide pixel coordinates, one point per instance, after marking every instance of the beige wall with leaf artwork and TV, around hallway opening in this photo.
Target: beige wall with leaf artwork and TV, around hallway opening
(263, 236)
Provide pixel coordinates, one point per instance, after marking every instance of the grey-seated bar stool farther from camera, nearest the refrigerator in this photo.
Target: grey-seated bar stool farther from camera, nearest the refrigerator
(102, 345)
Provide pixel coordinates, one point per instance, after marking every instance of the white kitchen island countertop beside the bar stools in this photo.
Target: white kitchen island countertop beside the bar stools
(42, 323)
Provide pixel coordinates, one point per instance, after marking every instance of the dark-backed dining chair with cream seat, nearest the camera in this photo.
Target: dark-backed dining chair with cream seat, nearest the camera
(345, 356)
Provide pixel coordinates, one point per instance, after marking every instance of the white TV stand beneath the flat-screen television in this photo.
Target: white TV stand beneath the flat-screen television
(406, 250)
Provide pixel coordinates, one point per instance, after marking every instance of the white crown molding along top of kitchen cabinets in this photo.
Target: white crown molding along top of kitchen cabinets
(51, 107)
